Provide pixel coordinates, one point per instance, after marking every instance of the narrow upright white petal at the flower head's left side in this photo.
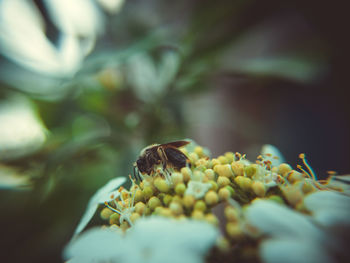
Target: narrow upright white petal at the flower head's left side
(102, 195)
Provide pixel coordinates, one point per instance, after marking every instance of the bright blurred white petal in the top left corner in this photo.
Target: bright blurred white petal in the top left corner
(22, 37)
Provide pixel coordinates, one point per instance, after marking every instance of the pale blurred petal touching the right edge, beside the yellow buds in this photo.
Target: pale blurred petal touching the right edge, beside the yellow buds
(329, 208)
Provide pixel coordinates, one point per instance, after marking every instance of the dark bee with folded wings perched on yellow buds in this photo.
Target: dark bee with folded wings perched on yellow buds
(166, 154)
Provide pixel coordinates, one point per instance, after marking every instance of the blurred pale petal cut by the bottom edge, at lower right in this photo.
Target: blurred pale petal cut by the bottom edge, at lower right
(288, 250)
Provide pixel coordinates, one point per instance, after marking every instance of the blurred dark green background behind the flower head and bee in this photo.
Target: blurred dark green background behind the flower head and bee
(232, 75)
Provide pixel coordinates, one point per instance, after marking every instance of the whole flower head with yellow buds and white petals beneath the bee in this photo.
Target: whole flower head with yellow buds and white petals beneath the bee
(310, 229)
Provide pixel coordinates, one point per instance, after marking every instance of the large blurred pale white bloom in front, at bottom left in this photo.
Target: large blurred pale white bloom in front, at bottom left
(152, 239)
